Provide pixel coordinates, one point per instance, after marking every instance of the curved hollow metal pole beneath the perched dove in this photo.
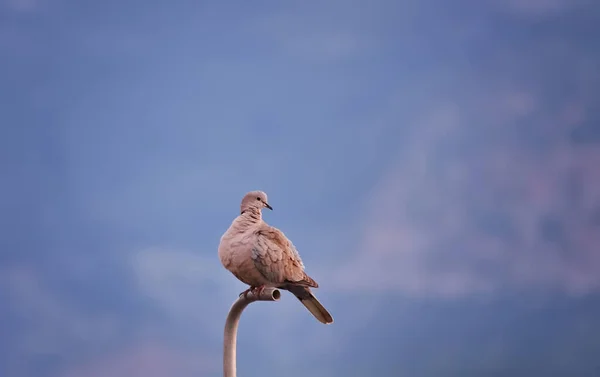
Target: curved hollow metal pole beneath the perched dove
(231, 325)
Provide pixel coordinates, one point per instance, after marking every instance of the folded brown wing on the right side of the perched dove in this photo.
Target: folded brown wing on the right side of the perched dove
(277, 259)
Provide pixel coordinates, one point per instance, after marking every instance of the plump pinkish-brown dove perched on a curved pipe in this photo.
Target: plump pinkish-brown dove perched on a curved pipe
(262, 256)
